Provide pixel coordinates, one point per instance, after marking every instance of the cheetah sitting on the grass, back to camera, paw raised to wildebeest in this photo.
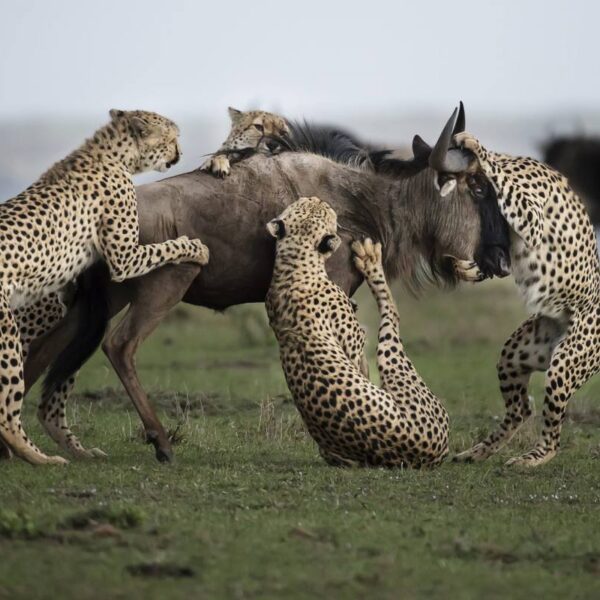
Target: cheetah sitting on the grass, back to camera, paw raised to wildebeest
(321, 344)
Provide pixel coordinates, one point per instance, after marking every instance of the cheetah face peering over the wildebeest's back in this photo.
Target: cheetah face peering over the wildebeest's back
(255, 129)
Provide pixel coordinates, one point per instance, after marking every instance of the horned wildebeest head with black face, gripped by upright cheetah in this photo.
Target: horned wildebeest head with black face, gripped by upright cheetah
(466, 235)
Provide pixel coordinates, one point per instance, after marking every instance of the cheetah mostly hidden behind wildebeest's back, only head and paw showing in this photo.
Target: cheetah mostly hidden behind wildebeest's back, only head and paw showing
(251, 131)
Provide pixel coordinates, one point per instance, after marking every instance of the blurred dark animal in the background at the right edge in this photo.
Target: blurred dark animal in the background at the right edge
(578, 158)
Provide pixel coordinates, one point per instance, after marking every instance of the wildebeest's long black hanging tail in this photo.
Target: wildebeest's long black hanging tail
(91, 301)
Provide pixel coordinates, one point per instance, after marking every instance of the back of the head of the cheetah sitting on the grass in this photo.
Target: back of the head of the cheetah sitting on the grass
(307, 225)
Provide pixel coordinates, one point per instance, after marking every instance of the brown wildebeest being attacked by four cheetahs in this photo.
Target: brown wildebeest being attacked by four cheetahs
(398, 206)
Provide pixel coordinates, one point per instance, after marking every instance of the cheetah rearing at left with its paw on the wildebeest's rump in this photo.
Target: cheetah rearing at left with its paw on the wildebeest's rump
(81, 210)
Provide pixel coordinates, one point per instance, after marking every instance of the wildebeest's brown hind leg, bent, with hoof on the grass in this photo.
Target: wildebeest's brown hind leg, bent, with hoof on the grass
(155, 295)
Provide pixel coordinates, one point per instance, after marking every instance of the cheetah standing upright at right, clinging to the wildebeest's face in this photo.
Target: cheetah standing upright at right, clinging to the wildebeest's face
(556, 268)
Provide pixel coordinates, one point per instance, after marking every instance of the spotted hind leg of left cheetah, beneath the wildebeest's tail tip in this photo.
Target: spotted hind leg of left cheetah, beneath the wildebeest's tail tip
(51, 414)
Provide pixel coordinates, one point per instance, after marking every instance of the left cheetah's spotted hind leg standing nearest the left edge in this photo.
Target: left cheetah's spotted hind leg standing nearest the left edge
(12, 388)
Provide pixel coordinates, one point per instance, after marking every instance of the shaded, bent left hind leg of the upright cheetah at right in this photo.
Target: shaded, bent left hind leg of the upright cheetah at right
(528, 349)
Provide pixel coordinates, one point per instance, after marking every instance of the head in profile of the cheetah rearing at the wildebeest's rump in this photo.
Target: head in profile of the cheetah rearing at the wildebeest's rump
(157, 138)
